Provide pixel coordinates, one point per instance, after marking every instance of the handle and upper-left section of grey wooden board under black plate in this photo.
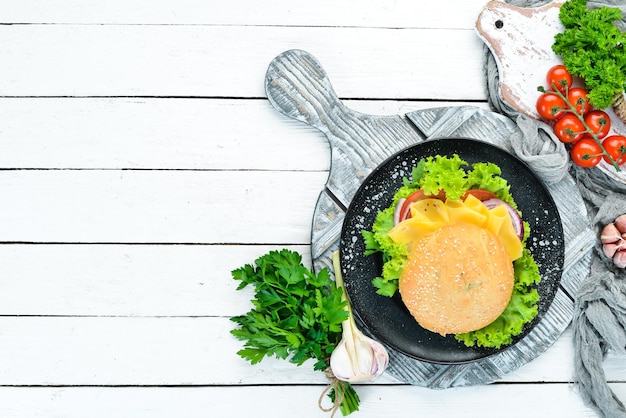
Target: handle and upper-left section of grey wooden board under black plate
(297, 86)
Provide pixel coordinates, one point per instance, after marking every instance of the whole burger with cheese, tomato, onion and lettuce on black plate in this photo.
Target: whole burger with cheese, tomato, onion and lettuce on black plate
(453, 247)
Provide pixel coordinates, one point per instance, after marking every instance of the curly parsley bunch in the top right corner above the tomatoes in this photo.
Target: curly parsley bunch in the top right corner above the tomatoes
(592, 48)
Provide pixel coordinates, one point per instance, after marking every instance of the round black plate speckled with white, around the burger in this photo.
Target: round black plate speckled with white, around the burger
(387, 319)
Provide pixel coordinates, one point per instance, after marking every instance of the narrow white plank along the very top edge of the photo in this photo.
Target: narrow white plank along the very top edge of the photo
(375, 13)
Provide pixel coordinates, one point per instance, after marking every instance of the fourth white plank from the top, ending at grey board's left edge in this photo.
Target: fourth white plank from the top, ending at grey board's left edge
(158, 206)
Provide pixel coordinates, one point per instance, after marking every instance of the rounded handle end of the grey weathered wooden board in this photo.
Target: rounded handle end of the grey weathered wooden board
(297, 85)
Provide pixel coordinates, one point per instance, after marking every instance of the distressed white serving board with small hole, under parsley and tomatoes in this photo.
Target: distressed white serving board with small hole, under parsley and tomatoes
(521, 41)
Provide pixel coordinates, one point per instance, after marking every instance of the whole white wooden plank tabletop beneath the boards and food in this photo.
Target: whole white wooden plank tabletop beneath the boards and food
(140, 163)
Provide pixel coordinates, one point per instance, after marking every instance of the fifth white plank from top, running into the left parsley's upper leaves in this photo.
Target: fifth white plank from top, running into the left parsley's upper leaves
(127, 280)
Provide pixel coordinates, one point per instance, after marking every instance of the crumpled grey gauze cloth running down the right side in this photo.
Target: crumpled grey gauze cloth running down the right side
(599, 321)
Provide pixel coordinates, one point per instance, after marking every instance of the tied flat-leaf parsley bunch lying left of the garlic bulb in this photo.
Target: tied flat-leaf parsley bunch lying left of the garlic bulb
(297, 315)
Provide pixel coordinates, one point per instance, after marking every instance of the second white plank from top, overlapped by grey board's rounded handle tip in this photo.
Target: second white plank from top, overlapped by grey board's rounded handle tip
(230, 61)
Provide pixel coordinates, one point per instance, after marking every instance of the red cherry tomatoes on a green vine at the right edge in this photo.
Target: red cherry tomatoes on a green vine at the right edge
(575, 123)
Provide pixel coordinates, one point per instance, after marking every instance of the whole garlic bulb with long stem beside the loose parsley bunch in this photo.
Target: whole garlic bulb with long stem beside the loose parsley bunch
(357, 358)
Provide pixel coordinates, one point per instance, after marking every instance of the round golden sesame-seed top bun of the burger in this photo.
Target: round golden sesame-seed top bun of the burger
(457, 279)
